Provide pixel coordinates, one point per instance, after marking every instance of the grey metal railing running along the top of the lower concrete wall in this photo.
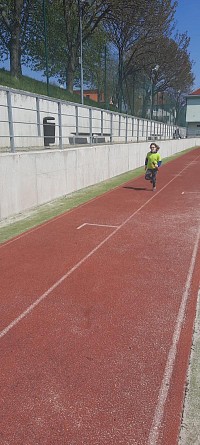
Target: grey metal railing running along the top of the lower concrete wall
(31, 121)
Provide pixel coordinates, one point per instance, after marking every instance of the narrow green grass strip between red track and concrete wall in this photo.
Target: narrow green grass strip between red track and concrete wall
(20, 223)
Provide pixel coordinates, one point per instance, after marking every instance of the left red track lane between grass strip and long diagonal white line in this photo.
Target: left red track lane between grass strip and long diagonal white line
(50, 250)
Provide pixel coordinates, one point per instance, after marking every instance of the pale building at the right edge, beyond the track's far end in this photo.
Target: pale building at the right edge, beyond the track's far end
(193, 114)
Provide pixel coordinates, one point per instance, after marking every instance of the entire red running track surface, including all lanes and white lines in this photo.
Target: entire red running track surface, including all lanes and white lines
(97, 322)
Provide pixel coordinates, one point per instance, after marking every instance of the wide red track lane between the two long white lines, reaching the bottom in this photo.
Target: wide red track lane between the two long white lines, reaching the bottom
(83, 357)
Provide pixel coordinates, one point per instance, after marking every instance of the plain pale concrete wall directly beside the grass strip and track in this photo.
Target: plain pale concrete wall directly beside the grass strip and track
(33, 178)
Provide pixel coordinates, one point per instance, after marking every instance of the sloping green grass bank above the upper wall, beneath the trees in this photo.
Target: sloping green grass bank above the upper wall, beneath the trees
(28, 84)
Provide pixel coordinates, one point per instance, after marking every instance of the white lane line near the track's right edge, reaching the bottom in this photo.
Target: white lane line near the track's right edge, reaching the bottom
(165, 385)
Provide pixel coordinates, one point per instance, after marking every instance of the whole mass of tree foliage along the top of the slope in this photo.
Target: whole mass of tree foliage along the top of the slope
(137, 35)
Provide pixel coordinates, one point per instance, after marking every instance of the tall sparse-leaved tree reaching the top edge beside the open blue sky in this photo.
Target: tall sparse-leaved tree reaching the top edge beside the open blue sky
(132, 26)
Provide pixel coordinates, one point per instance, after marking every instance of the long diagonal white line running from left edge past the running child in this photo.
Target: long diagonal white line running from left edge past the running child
(55, 285)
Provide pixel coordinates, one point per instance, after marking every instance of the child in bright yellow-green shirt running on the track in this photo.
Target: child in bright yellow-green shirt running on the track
(152, 163)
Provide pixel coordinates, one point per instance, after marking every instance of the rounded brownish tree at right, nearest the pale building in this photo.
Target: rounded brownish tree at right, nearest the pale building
(172, 56)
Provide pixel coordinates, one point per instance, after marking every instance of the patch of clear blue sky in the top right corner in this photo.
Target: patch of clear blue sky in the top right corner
(188, 19)
